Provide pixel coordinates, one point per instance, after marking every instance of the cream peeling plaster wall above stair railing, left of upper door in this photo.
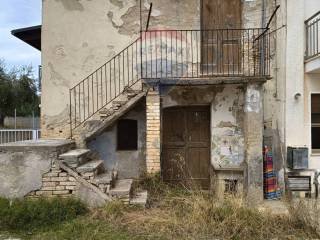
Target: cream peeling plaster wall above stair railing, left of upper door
(78, 36)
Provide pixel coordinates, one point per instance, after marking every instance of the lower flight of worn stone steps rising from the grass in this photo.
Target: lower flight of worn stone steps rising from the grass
(85, 166)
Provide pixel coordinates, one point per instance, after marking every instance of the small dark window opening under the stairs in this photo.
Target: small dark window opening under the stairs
(127, 134)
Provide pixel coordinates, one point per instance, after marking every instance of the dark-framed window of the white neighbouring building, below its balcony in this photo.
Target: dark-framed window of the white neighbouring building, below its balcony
(315, 121)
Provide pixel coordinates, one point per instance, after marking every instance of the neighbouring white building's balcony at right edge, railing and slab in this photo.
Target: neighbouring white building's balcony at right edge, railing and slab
(312, 54)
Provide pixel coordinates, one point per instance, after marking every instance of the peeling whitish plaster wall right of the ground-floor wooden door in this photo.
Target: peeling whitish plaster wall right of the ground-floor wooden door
(227, 146)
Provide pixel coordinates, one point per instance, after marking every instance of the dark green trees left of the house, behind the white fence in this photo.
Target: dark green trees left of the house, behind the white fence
(18, 90)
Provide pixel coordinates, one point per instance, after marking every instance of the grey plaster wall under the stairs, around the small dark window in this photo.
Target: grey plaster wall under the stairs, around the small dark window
(129, 164)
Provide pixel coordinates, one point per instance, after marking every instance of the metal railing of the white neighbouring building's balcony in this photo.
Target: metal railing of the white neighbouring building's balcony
(312, 36)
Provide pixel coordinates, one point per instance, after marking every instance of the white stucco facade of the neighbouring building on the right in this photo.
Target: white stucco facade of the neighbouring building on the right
(294, 83)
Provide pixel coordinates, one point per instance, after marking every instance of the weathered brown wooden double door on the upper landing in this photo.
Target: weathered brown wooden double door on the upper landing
(221, 36)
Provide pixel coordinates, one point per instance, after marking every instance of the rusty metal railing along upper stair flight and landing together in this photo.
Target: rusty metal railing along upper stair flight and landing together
(172, 54)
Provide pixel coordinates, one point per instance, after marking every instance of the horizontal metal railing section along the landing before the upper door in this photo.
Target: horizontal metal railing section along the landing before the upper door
(205, 53)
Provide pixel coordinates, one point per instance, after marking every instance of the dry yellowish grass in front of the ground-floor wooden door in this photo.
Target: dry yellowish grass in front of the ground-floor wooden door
(175, 213)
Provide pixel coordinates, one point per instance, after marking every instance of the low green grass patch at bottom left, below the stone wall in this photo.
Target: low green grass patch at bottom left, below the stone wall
(29, 214)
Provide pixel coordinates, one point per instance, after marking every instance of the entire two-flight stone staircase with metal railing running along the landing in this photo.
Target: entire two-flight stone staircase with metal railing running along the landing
(109, 92)
